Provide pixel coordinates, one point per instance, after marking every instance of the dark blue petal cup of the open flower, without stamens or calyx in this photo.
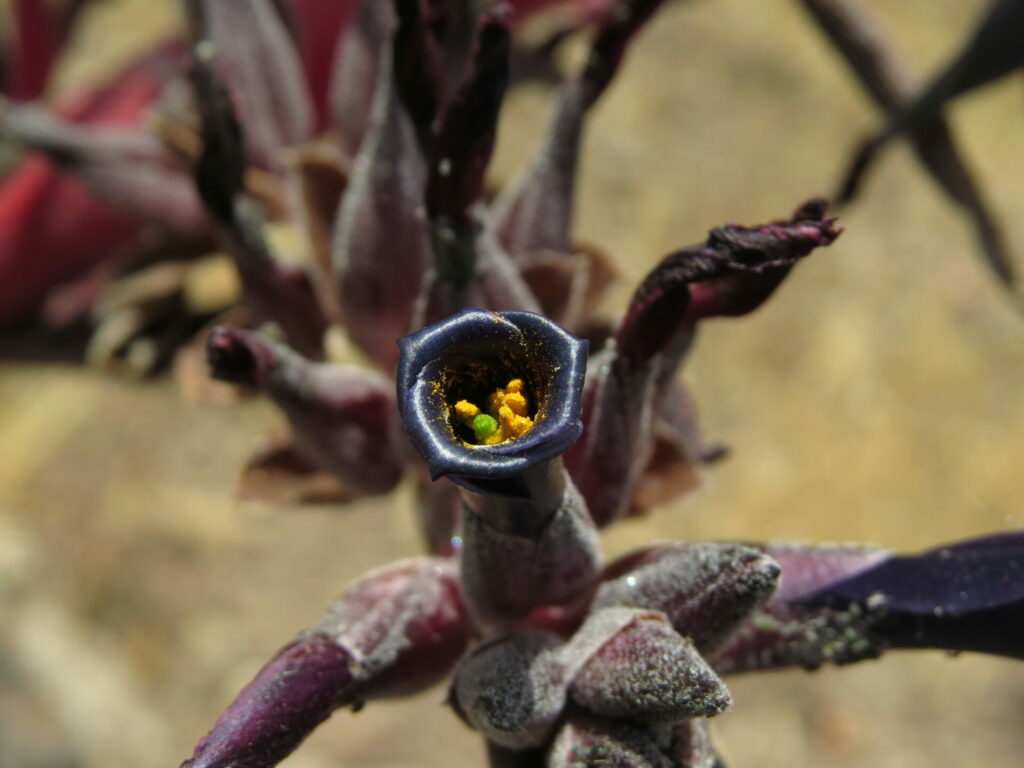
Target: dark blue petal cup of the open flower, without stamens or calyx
(467, 357)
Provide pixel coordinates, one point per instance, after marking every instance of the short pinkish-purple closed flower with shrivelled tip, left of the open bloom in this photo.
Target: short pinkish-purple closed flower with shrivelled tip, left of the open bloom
(344, 418)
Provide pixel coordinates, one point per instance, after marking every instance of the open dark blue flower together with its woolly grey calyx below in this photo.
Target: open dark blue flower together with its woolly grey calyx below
(528, 539)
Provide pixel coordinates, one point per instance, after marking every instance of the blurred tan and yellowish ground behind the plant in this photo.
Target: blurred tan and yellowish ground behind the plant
(879, 397)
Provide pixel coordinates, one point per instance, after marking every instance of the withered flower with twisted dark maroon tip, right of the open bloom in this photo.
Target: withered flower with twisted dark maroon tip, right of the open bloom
(733, 273)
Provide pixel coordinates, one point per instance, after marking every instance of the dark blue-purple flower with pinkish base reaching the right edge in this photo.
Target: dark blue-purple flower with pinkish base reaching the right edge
(843, 605)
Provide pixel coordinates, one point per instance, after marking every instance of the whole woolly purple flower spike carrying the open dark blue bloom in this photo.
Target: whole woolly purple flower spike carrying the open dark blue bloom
(529, 425)
